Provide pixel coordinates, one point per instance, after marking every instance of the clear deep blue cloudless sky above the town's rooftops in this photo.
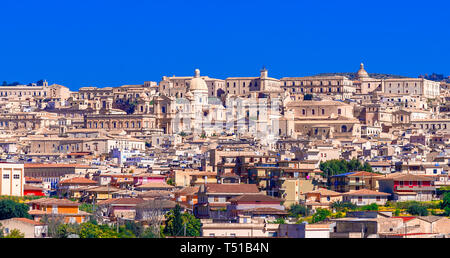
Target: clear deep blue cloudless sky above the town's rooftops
(110, 43)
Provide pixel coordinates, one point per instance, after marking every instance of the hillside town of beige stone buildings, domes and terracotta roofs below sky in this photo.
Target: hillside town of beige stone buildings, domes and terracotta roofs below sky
(325, 156)
